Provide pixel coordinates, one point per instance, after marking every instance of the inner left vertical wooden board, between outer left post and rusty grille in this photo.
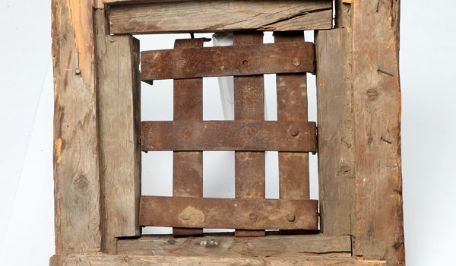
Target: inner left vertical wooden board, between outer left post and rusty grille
(119, 121)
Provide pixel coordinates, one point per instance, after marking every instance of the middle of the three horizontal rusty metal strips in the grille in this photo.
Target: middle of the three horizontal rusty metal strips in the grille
(228, 136)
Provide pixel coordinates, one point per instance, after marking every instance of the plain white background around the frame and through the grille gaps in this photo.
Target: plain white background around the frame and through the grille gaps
(428, 74)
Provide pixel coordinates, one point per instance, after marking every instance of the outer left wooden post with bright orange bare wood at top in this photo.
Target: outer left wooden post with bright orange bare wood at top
(76, 157)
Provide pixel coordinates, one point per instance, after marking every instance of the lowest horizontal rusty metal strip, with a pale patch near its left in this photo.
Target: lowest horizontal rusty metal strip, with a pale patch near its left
(228, 213)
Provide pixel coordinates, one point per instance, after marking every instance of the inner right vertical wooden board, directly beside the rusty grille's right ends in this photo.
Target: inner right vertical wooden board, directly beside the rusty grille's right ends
(336, 162)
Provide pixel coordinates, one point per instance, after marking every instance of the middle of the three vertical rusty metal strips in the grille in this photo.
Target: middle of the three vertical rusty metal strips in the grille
(249, 105)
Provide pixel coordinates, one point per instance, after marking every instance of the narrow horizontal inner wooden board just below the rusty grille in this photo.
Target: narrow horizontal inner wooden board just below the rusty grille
(228, 246)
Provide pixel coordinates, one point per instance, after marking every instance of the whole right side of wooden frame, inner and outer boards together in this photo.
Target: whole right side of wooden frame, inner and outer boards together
(359, 115)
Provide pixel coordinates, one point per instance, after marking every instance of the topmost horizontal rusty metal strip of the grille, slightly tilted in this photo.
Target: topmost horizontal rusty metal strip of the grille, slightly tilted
(228, 61)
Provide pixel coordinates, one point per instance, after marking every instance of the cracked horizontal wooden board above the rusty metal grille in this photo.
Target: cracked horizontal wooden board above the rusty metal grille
(212, 16)
